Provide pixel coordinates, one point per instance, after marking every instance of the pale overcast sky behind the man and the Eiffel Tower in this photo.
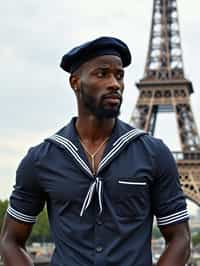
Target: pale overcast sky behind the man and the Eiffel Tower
(36, 99)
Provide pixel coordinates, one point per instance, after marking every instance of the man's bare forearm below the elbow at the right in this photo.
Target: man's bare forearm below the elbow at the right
(176, 253)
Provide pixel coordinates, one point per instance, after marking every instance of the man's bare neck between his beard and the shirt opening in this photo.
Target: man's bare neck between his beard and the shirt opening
(92, 129)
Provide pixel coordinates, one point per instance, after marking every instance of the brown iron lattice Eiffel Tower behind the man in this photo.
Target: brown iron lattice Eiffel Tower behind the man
(164, 88)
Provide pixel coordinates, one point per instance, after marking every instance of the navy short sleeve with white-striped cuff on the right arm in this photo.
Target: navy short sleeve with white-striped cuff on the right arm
(169, 203)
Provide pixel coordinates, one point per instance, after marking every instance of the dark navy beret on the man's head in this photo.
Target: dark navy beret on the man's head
(98, 47)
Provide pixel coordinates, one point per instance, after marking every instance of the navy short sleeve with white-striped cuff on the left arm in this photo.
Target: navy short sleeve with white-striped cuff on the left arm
(27, 199)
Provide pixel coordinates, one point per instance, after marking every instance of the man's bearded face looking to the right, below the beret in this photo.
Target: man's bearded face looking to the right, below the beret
(101, 86)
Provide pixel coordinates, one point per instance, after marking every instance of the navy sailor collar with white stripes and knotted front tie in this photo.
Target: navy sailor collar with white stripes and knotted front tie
(67, 139)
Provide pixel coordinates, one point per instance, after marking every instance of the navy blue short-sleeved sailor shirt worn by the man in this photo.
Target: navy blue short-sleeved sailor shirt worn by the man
(102, 220)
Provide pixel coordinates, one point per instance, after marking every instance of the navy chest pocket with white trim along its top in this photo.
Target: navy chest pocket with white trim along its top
(133, 197)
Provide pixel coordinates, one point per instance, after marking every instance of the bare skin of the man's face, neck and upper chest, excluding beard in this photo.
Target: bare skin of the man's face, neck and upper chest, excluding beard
(100, 77)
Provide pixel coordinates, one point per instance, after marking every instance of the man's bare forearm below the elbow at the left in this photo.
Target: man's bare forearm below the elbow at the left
(13, 255)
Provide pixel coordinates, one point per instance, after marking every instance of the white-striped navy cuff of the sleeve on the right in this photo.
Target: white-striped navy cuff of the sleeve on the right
(173, 218)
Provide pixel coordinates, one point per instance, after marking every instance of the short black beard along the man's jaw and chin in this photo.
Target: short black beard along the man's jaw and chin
(98, 110)
